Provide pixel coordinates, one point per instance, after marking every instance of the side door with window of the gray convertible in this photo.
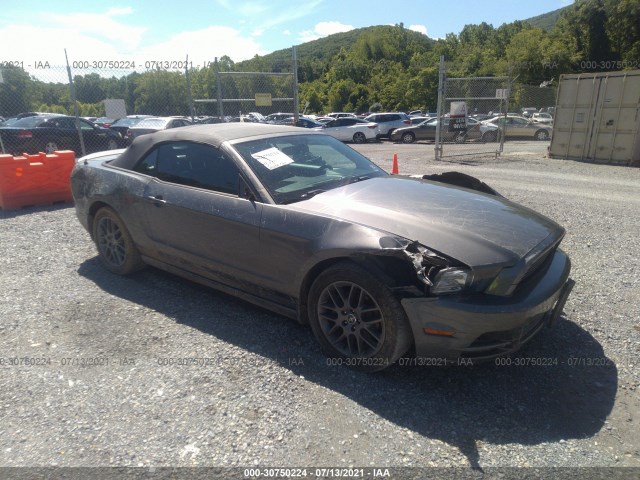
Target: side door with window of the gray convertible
(194, 216)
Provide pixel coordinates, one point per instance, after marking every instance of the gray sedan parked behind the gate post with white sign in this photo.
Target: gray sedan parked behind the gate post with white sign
(427, 131)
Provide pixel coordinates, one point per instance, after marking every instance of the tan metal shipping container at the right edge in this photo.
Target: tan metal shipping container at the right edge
(597, 118)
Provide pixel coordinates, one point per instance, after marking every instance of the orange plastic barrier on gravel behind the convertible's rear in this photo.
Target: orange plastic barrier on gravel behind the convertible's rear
(35, 179)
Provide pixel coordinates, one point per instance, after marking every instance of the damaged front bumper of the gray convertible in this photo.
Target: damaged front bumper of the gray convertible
(480, 326)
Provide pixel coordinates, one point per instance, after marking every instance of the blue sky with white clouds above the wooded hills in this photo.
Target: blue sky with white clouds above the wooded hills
(143, 30)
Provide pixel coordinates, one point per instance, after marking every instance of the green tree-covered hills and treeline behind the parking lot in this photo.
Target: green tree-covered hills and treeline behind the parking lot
(382, 67)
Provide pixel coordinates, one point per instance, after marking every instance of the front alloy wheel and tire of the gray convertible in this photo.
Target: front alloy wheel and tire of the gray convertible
(357, 320)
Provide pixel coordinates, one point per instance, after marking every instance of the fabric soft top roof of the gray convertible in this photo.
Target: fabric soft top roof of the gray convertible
(214, 134)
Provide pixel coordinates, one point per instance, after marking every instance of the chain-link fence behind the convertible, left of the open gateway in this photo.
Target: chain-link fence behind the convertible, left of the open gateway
(103, 101)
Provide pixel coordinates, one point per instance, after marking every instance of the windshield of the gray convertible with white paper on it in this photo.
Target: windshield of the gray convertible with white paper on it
(296, 167)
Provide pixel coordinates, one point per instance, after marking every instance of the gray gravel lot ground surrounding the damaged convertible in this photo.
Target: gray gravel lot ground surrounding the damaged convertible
(109, 389)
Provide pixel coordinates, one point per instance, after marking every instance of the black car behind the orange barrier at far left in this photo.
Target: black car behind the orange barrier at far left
(50, 132)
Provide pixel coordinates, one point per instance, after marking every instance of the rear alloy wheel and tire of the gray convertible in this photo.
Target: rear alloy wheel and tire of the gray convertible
(116, 249)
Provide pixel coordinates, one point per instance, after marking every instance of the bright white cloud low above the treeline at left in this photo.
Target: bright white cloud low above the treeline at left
(89, 40)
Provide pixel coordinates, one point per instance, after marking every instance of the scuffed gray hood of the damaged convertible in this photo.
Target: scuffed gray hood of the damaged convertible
(475, 228)
